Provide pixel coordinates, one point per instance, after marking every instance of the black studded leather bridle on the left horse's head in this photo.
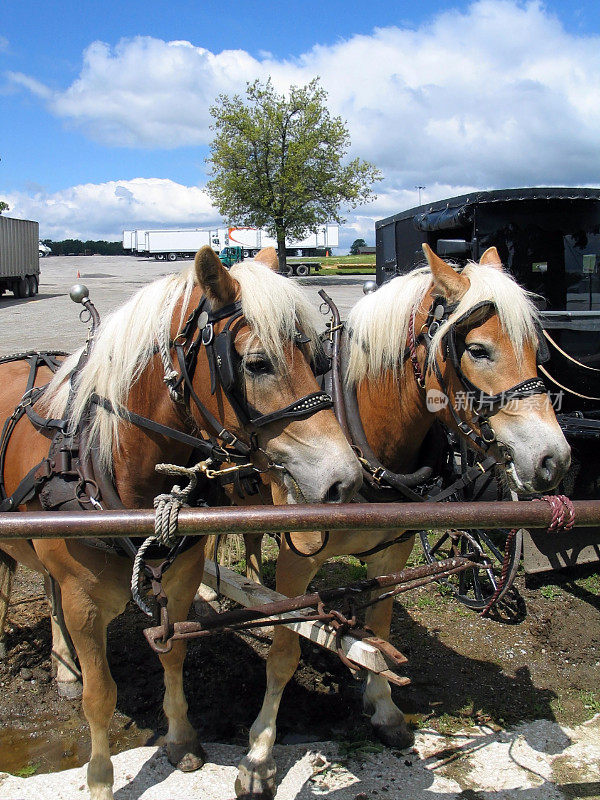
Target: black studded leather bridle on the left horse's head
(225, 371)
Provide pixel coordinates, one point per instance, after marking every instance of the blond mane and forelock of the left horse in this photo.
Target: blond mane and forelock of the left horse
(128, 338)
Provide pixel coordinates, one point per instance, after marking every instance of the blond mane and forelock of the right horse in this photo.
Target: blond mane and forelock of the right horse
(378, 323)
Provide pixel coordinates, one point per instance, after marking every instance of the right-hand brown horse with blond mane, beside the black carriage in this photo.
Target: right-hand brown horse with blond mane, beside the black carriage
(495, 330)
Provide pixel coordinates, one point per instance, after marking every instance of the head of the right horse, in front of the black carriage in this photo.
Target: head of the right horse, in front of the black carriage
(484, 338)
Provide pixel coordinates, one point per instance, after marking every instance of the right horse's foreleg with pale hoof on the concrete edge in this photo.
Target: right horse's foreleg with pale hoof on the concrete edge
(256, 775)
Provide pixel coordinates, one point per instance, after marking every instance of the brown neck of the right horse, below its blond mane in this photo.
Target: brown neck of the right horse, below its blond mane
(395, 418)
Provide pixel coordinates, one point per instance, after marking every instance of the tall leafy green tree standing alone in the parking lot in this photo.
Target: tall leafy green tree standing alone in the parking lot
(278, 162)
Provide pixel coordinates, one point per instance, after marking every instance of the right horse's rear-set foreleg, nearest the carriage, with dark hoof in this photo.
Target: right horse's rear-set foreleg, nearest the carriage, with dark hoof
(387, 719)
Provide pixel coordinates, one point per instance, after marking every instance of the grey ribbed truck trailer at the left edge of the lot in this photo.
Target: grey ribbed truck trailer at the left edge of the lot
(19, 256)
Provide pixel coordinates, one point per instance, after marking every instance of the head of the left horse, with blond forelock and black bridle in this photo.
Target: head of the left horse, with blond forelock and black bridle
(263, 388)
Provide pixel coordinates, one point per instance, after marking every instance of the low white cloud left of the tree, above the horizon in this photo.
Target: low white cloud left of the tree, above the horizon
(103, 211)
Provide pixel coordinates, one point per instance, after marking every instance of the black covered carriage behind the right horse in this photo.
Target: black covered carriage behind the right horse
(549, 239)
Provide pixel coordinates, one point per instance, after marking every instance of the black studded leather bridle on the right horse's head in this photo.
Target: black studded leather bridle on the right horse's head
(483, 404)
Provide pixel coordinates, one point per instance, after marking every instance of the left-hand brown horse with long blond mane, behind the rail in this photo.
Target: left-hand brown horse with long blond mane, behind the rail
(298, 449)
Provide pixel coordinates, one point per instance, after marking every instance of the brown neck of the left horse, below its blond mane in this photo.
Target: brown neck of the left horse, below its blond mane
(135, 477)
